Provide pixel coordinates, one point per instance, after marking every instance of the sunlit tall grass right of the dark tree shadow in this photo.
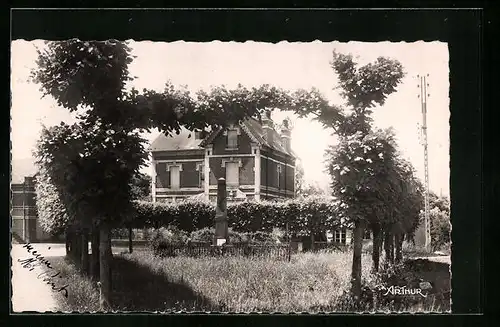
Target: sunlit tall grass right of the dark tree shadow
(251, 284)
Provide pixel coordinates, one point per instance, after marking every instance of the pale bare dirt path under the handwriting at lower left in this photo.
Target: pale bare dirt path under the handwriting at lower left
(29, 292)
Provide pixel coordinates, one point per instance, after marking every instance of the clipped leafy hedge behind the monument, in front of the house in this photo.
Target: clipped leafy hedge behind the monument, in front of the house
(314, 214)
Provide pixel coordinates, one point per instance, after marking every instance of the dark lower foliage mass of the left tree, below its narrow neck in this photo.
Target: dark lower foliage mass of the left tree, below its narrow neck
(90, 169)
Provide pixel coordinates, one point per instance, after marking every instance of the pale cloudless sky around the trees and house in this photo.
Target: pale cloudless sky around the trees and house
(287, 65)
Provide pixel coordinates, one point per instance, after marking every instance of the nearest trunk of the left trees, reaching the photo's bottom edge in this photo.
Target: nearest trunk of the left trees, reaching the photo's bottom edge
(105, 257)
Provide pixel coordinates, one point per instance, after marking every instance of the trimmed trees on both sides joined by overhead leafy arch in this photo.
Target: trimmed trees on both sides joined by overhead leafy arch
(87, 168)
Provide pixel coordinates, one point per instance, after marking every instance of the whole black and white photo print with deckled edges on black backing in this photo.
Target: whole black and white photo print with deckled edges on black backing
(223, 176)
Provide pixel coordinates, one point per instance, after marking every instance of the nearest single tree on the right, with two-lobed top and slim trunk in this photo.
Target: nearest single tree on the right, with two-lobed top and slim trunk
(358, 162)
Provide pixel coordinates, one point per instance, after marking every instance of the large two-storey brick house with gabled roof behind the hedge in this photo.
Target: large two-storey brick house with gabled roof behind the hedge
(255, 159)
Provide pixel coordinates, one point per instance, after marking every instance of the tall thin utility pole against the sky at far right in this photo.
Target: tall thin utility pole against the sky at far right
(422, 79)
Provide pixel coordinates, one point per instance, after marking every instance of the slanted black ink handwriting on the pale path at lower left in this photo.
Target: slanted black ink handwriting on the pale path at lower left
(49, 276)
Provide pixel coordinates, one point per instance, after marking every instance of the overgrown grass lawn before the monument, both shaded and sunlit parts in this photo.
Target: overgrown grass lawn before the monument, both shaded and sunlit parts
(143, 282)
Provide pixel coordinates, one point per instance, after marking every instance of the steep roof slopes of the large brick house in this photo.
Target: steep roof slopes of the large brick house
(182, 141)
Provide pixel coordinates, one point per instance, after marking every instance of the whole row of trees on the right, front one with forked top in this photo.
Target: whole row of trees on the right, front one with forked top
(375, 187)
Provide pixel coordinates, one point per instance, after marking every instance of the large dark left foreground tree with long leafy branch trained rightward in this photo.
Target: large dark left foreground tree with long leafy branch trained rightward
(89, 78)
